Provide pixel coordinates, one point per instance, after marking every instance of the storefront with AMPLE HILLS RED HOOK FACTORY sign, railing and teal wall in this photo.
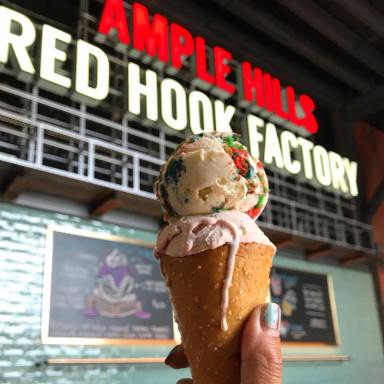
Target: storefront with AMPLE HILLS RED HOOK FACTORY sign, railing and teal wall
(80, 152)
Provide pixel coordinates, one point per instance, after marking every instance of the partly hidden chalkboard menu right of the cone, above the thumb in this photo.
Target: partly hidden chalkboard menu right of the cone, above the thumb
(307, 305)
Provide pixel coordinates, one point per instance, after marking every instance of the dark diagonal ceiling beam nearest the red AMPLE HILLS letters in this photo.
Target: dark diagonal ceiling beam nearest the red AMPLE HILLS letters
(286, 35)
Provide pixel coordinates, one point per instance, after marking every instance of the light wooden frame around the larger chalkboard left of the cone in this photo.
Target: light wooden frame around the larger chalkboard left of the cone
(45, 337)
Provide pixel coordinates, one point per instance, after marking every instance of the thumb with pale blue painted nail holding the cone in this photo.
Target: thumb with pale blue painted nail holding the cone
(261, 359)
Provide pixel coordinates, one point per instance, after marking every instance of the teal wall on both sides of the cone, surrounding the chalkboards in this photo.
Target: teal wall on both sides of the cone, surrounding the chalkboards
(22, 245)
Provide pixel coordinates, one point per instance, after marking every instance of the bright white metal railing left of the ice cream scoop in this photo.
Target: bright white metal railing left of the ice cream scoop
(87, 172)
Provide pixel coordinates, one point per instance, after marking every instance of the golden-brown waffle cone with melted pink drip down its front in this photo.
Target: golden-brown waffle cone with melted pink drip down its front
(195, 283)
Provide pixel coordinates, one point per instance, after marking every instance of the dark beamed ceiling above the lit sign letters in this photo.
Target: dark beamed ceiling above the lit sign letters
(330, 49)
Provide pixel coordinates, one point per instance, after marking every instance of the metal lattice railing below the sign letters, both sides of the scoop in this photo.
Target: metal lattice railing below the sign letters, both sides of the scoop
(116, 158)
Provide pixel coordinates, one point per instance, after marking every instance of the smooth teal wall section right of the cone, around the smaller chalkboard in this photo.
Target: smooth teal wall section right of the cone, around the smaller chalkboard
(359, 325)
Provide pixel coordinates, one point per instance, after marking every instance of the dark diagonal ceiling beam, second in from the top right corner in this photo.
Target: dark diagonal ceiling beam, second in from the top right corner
(334, 30)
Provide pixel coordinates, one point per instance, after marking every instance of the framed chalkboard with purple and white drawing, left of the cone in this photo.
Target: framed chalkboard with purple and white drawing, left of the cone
(103, 290)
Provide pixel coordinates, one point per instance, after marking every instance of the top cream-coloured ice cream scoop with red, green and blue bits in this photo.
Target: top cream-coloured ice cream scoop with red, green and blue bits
(211, 173)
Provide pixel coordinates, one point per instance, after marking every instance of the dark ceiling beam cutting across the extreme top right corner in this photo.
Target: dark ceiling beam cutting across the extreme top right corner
(365, 13)
